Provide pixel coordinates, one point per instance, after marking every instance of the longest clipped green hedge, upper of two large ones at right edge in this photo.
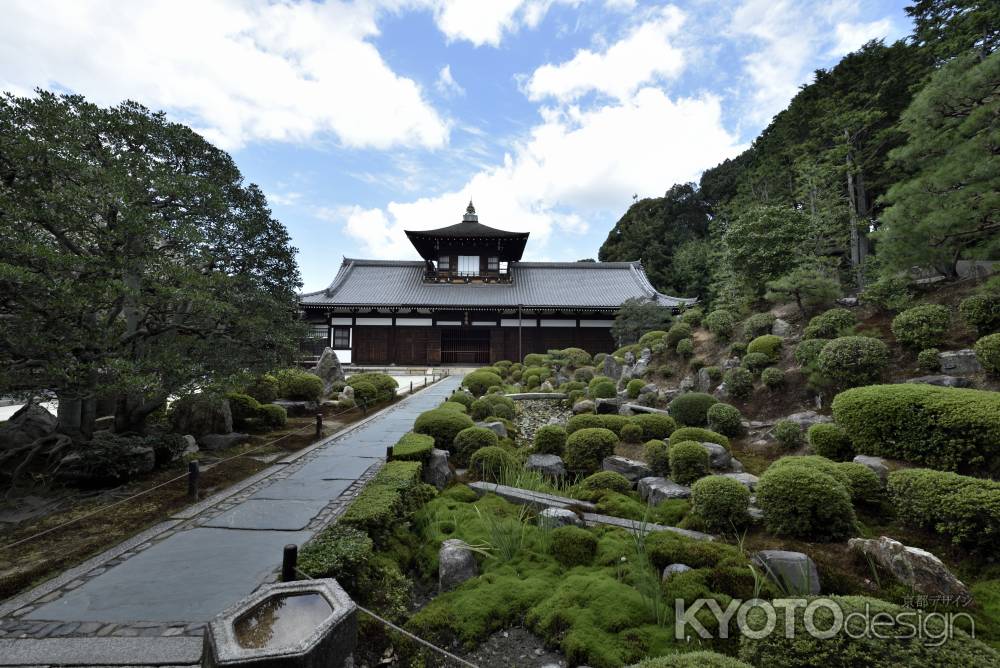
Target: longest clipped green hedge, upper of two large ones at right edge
(946, 428)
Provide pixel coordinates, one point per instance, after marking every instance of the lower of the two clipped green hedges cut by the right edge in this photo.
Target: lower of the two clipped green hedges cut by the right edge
(964, 509)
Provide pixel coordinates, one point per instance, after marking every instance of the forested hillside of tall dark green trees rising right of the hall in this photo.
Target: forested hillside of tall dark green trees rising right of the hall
(884, 163)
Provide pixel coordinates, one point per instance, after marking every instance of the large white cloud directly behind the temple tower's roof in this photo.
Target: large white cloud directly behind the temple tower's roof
(573, 161)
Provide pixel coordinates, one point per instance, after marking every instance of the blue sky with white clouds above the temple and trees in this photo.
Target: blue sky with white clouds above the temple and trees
(362, 119)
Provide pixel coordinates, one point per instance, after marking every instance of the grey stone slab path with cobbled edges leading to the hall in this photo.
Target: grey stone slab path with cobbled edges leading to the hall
(178, 575)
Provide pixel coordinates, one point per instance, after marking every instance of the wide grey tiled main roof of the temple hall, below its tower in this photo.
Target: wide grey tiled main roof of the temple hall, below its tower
(598, 285)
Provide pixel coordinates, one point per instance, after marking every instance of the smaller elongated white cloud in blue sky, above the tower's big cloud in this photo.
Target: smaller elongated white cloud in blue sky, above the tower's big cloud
(642, 56)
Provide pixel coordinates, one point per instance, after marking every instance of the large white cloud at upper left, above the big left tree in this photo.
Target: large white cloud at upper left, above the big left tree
(239, 71)
